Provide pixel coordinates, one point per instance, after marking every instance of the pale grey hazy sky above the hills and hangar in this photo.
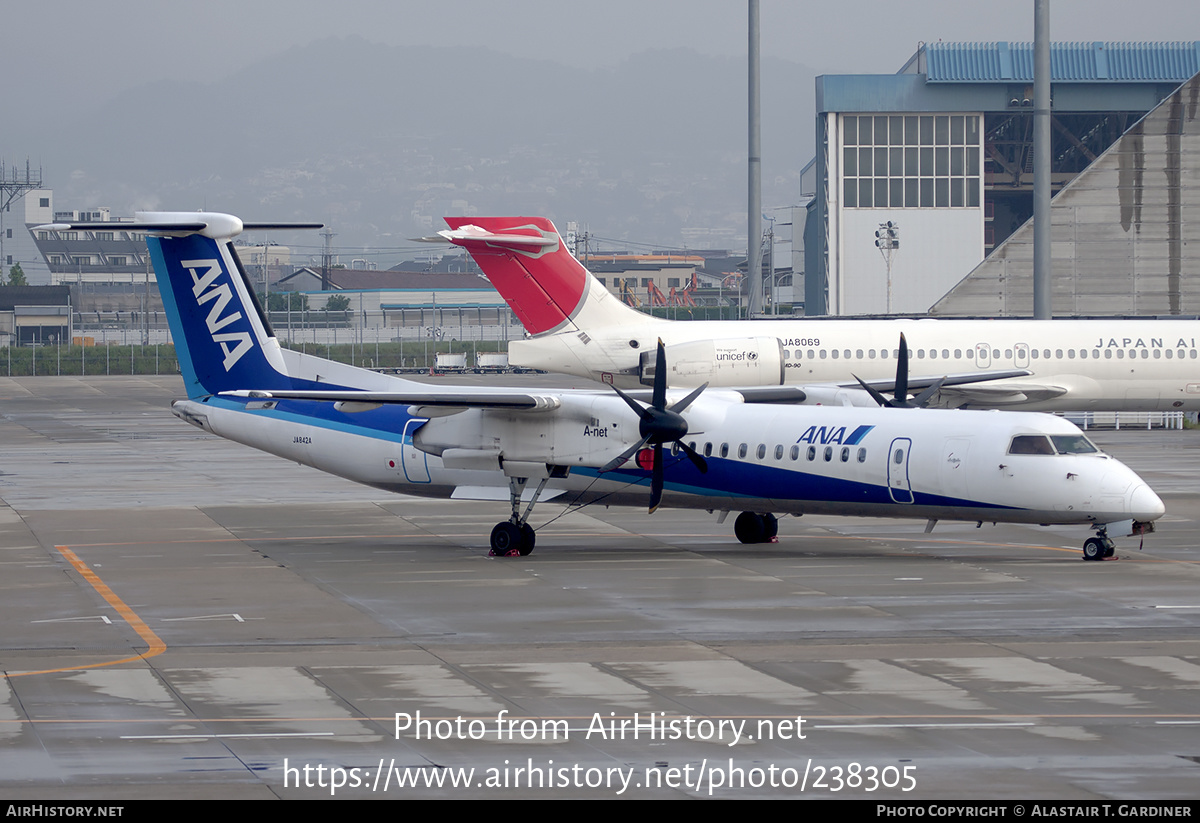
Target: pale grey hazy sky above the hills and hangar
(82, 47)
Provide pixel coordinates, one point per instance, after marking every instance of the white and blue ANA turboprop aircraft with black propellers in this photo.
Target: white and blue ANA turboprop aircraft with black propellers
(718, 450)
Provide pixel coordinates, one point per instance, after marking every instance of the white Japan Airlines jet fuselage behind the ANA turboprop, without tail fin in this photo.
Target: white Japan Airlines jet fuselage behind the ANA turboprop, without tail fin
(1073, 365)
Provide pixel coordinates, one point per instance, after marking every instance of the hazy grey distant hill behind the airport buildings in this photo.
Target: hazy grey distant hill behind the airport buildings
(381, 142)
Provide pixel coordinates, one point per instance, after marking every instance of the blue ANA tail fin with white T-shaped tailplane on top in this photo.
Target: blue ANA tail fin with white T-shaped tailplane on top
(224, 339)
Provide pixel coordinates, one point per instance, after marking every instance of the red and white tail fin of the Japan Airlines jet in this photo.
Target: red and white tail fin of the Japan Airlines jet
(531, 267)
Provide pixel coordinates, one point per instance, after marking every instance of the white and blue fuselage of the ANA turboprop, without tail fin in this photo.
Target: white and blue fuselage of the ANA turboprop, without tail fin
(823, 460)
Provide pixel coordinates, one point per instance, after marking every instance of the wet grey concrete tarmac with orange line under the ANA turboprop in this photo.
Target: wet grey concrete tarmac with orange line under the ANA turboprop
(189, 618)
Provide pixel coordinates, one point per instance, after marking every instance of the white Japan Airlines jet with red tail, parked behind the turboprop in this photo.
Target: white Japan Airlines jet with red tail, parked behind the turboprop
(578, 327)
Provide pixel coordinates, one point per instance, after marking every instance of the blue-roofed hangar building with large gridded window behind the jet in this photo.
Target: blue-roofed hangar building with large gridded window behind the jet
(944, 152)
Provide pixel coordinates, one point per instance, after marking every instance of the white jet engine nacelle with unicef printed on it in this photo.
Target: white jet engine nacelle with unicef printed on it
(739, 362)
